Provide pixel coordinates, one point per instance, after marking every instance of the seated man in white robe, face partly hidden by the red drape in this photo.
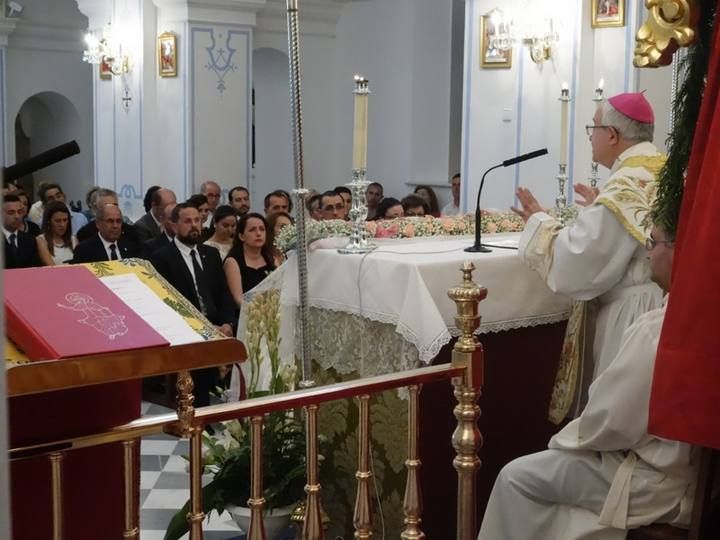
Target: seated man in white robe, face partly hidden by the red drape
(604, 473)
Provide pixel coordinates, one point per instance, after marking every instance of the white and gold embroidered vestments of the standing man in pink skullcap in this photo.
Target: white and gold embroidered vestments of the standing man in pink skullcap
(600, 262)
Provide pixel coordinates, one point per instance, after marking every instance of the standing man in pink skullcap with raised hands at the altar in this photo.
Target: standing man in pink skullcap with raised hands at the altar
(601, 255)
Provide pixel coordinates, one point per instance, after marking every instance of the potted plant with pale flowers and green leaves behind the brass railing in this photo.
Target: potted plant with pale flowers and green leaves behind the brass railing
(227, 452)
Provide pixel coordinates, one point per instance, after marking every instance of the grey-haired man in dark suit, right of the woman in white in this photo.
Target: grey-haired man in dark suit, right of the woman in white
(108, 244)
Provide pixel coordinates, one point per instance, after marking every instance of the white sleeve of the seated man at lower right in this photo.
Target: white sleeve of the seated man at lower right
(616, 415)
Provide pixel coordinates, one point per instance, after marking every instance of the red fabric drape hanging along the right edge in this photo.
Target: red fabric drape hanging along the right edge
(686, 385)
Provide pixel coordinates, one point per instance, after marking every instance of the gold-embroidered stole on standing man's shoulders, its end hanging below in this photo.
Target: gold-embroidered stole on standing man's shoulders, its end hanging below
(630, 198)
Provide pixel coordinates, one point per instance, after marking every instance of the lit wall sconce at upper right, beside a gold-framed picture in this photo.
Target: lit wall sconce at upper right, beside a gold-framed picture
(529, 28)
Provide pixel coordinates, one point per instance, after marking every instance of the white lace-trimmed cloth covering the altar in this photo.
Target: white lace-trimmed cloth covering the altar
(404, 283)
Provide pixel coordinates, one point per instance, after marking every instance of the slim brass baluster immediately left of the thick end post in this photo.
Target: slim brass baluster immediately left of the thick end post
(412, 504)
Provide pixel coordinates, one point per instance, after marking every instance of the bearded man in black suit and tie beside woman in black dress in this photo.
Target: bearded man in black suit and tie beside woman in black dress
(195, 270)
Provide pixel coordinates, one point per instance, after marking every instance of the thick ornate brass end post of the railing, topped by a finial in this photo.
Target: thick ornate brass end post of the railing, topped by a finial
(467, 439)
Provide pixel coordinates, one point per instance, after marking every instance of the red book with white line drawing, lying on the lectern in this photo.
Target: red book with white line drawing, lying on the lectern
(67, 311)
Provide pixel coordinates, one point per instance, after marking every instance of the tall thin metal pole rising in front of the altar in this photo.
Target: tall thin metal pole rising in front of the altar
(300, 192)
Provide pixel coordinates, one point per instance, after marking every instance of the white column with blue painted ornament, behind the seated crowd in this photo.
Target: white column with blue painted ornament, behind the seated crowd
(204, 114)
